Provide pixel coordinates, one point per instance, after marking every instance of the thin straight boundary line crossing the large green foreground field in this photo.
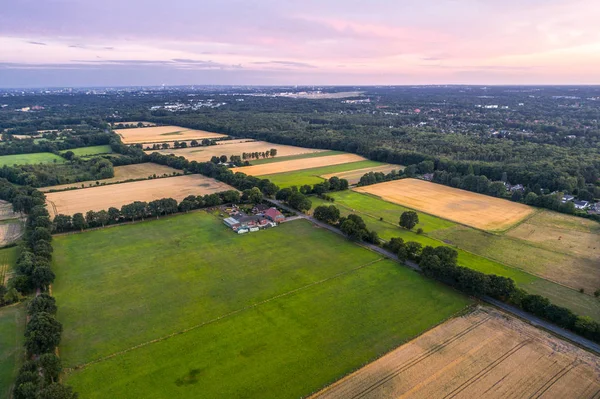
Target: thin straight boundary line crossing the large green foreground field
(82, 366)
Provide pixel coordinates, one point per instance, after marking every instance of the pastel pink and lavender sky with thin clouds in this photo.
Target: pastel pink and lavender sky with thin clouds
(300, 42)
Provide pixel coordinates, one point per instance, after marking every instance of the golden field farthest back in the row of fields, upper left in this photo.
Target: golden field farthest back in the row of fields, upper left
(159, 134)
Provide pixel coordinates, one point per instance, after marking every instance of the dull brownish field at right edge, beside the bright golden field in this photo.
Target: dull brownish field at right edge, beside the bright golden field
(563, 233)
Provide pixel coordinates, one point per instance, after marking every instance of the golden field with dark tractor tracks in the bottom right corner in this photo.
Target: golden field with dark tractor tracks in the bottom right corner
(485, 354)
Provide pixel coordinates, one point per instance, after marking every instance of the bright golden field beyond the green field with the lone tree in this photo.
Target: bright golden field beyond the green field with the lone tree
(472, 209)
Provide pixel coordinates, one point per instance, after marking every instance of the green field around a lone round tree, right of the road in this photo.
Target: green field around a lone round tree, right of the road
(477, 250)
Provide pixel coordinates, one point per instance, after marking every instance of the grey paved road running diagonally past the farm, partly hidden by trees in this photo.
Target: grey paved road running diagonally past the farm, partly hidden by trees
(535, 321)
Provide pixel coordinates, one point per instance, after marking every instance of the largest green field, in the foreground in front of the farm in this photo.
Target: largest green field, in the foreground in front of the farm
(278, 313)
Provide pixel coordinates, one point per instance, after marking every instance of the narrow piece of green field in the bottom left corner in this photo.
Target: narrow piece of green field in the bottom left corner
(12, 353)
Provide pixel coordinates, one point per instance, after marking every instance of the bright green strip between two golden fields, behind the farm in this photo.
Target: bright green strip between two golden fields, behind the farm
(311, 176)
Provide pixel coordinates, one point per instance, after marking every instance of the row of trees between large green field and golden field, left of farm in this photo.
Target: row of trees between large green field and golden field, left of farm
(140, 210)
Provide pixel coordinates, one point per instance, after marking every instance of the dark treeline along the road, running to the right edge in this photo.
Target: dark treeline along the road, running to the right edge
(441, 263)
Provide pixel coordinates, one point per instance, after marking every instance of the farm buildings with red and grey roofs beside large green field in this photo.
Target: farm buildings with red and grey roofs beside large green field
(261, 217)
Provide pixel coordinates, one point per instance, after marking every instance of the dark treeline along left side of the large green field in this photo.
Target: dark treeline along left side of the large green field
(39, 376)
